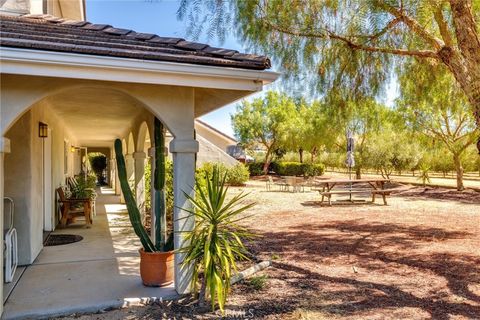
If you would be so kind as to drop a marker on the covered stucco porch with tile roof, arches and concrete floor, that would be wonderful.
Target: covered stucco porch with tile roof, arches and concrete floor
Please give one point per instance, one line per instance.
(88, 95)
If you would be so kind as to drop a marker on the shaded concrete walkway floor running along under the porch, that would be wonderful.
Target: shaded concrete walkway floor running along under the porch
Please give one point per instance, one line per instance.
(101, 271)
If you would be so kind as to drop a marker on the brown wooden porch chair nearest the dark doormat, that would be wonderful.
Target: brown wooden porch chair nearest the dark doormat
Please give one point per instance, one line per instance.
(72, 208)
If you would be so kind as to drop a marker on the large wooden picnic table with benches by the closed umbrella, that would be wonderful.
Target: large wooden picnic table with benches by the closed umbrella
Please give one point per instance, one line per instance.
(324, 187)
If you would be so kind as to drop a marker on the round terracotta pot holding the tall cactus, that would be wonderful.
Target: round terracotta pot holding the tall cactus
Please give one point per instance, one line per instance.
(156, 268)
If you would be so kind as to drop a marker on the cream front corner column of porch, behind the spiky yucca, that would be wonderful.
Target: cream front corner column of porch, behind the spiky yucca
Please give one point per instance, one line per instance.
(183, 181)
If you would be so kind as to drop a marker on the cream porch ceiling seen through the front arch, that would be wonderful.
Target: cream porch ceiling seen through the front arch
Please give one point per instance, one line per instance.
(93, 117)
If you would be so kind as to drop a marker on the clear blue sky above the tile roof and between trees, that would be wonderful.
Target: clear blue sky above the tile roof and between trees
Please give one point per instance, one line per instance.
(159, 17)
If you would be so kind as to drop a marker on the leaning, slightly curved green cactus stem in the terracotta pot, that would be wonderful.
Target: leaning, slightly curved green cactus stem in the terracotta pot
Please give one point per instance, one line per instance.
(133, 212)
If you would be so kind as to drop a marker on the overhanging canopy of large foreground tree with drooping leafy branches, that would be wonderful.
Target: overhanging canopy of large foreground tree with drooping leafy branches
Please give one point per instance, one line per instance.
(351, 45)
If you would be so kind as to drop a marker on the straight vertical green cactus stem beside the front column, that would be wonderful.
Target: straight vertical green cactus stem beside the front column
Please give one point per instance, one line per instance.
(159, 187)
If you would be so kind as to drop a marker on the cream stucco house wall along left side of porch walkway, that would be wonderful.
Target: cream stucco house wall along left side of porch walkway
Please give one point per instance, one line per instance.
(24, 175)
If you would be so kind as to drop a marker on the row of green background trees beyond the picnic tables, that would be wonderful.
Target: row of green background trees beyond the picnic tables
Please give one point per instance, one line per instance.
(426, 132)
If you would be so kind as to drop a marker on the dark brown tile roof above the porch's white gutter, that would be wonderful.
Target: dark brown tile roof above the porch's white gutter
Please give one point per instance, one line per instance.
(46, 32)
